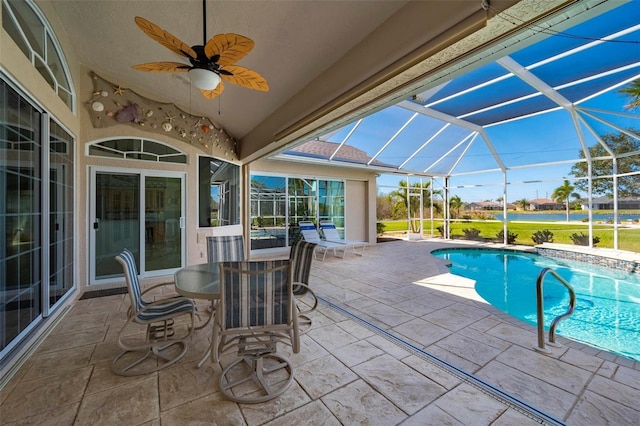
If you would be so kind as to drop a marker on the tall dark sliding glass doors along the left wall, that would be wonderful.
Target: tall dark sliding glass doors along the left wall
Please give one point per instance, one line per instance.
(36, 216)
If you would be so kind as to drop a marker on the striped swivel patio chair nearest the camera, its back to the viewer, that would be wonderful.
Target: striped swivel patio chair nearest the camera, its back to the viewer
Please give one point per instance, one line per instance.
(255, 313)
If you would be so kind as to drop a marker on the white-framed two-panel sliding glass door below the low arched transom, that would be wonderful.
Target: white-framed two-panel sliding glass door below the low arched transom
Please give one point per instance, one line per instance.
(142, 212)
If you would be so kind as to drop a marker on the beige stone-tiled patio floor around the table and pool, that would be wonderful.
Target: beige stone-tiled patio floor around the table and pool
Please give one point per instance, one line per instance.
(367, 360)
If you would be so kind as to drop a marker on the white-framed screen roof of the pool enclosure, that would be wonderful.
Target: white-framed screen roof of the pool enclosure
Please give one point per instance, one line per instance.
(535, 100)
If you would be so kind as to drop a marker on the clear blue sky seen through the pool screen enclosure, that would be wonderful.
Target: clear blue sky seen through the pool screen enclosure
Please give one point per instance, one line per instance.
(581, 77)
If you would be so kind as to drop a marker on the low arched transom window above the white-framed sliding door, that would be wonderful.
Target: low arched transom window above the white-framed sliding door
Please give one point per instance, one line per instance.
(137, 149)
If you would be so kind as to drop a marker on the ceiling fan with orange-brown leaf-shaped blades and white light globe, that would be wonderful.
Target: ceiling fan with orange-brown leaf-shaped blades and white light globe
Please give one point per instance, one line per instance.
(209, 63)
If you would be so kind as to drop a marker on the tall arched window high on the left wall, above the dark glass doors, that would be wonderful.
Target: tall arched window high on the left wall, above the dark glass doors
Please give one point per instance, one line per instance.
(29, 29)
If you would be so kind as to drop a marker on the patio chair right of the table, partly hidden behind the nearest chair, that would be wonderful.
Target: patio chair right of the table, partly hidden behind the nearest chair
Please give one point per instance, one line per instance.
(301, 257)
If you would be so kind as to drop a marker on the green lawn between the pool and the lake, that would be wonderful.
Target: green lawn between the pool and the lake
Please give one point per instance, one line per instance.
(628, 238)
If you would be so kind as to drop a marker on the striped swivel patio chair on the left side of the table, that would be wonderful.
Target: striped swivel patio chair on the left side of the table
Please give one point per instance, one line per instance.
(159, 318)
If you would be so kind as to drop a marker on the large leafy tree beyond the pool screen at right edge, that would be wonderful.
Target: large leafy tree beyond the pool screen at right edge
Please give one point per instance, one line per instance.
(619, 143)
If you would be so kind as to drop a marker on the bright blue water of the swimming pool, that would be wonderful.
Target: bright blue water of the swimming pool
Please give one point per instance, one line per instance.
(607, 313)
